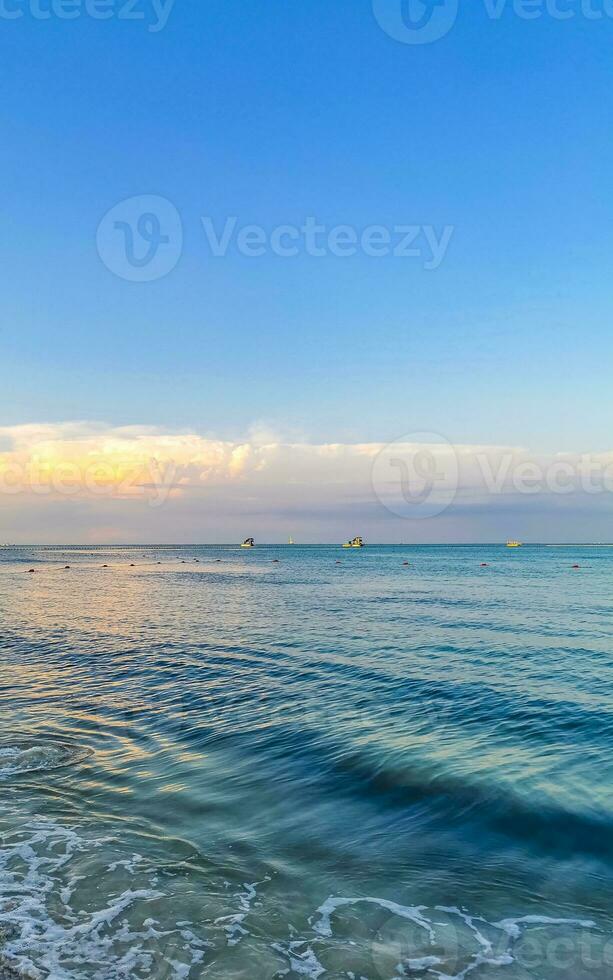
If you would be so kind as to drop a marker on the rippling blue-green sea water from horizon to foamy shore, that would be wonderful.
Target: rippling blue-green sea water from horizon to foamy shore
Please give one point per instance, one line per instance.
(215, 764)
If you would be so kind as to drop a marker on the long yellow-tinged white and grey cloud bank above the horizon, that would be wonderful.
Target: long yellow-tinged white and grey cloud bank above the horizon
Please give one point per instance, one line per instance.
(95, 483)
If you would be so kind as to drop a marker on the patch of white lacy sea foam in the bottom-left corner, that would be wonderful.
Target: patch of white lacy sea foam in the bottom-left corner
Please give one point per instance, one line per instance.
(44, 937)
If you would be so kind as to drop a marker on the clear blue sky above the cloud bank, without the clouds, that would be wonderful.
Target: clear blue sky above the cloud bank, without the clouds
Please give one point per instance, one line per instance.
(279, 110)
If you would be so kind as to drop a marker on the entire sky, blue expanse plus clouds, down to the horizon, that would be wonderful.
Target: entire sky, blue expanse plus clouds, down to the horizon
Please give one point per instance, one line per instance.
(457, 289)
